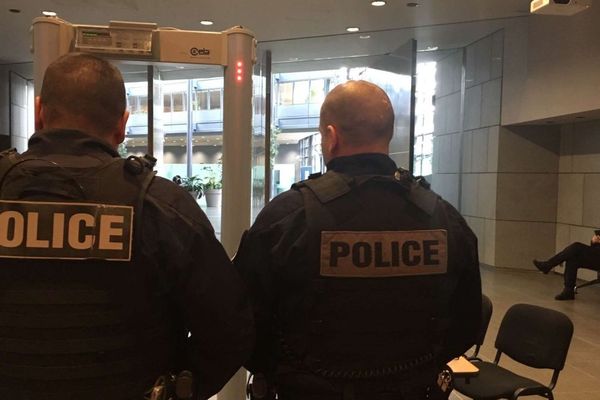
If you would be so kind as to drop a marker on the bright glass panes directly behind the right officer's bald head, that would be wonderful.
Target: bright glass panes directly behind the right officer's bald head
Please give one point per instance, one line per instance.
(297, 99)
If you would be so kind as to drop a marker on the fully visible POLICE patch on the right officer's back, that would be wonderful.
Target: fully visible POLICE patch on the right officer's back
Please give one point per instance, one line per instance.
(375, 254)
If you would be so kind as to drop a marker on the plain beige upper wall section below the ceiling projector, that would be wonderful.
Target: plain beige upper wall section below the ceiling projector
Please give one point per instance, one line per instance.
(551, 66)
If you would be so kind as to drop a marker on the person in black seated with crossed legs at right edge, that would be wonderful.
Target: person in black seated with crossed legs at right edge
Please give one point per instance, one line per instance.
(576, 255)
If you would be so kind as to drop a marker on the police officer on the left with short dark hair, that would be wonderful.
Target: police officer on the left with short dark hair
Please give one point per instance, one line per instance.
(110, 277)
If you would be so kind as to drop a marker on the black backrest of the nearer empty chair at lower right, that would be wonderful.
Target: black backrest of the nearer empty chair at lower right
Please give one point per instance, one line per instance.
(535, 336)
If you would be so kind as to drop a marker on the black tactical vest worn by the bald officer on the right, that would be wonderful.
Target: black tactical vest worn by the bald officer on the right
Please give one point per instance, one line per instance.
(373, 311)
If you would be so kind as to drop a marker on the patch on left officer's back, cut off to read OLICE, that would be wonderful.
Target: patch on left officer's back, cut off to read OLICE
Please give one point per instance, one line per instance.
(65, 230)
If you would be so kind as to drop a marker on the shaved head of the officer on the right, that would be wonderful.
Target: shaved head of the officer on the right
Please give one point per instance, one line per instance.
(356, 117)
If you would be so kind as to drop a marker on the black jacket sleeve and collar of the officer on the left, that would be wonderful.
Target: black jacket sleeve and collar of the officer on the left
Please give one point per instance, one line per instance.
(187, 269)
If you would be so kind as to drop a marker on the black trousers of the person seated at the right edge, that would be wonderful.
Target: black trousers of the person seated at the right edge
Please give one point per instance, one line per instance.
(577, 255)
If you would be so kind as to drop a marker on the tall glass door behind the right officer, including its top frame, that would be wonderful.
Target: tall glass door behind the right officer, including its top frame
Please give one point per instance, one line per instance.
(300, 86)
